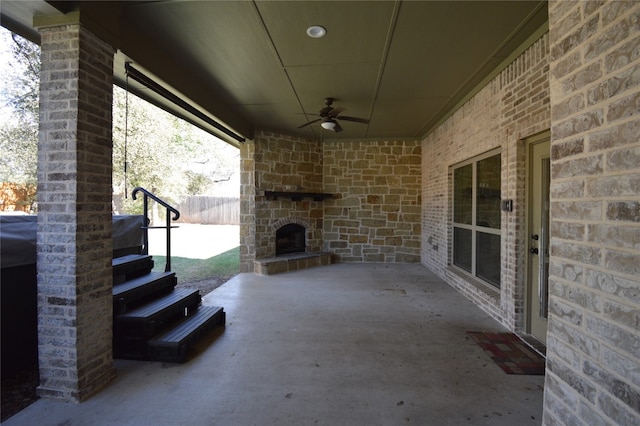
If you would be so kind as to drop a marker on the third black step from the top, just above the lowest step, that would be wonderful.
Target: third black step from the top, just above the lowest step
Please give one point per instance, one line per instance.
(133, 328)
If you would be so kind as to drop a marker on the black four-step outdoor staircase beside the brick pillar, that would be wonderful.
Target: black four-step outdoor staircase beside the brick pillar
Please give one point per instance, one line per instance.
(152, 320)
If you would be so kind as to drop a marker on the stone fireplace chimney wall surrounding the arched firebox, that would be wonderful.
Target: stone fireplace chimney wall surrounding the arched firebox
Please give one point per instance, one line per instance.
(275, 162)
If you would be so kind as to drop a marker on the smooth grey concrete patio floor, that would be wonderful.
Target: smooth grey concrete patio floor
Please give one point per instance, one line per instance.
(346, 344)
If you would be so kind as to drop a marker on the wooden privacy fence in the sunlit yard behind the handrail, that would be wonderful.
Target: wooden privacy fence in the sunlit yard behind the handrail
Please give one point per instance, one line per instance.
(210, 210)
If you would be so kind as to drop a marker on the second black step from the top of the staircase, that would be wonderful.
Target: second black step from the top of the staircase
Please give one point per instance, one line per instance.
(140, 290)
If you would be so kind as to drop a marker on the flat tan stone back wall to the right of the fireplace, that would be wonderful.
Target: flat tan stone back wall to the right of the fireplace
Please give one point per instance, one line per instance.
(375, 213)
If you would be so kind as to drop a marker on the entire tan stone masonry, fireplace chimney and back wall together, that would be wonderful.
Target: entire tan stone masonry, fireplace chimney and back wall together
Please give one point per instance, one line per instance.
(373, 217)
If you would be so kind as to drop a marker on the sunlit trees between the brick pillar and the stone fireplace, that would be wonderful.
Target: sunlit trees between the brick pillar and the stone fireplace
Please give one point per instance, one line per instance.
(164, 154)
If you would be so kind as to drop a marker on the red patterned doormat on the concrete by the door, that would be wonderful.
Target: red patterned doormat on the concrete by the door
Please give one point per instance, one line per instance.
(509, 352)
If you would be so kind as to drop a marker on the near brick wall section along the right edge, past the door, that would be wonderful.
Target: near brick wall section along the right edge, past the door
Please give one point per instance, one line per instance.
(593, 368)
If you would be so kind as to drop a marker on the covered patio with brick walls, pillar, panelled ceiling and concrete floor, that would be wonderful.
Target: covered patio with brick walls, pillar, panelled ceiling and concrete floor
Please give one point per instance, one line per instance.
(546, 106)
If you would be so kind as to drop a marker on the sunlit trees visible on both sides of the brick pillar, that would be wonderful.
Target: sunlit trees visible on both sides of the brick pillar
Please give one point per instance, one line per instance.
(164, 154)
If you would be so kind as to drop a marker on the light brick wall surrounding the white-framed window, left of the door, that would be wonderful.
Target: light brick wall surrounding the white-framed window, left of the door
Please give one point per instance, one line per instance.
(512, 107)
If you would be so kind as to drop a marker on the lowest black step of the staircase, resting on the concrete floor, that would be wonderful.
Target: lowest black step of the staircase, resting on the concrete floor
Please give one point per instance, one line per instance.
(172, 346)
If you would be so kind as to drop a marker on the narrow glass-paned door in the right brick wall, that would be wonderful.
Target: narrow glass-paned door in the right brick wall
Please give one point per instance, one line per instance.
(538, 253)
